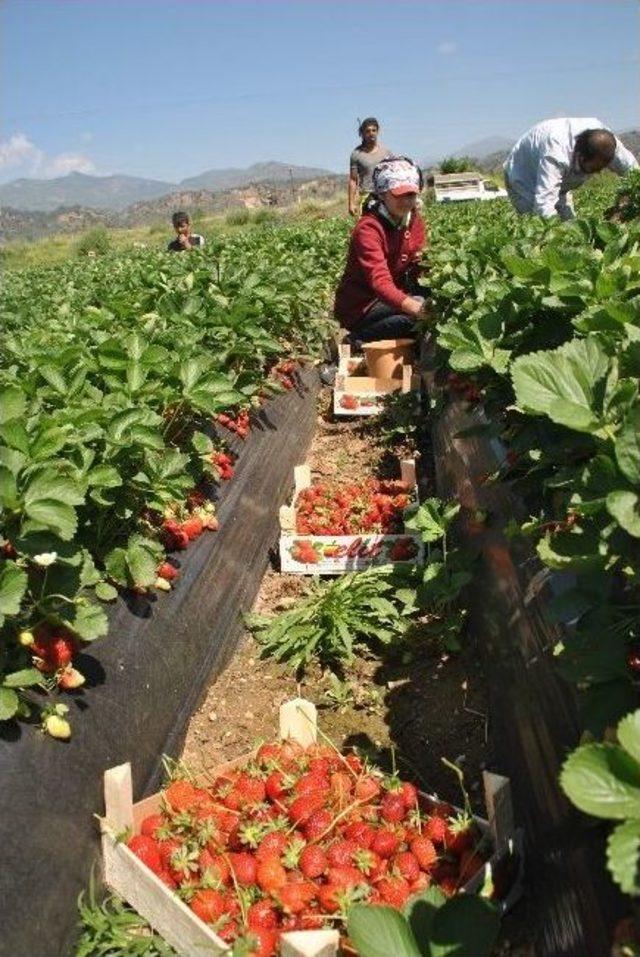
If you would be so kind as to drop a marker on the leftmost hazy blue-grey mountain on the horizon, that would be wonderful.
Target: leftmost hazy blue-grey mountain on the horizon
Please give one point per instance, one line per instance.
(79, 189)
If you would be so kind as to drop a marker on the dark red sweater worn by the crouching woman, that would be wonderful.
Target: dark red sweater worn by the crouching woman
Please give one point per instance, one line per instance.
(380, 259)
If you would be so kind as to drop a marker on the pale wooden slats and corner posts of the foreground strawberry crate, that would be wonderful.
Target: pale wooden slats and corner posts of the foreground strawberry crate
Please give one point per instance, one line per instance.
(177, 924)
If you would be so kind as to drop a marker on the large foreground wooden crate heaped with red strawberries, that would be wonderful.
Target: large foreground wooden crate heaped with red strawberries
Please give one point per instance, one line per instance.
(267, 855)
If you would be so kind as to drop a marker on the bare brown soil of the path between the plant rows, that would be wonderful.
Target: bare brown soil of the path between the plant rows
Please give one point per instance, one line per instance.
(414, 708)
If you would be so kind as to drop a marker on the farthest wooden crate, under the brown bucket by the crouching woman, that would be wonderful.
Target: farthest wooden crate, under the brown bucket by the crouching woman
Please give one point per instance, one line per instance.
(355, 393)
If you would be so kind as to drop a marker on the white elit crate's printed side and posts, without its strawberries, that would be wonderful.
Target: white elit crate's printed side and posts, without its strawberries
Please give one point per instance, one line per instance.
(338, 554)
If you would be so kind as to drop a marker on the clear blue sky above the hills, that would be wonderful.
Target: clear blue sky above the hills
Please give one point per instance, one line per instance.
(169, 88)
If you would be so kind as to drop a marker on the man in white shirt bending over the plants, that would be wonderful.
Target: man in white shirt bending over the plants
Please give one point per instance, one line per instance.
(556, 156)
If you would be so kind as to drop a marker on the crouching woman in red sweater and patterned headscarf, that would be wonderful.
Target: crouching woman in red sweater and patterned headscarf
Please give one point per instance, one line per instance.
(378, 296)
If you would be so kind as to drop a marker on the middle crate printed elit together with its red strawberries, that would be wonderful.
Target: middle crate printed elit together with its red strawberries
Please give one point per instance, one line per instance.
(335, 527)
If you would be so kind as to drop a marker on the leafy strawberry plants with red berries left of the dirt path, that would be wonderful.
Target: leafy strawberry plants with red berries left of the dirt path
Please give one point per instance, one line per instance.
(116, 376)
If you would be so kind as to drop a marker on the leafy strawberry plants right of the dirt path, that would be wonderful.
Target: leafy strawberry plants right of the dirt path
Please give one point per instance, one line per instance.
(539, 322)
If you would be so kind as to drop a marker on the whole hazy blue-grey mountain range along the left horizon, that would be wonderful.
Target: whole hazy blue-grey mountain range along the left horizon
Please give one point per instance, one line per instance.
(117, 192)
